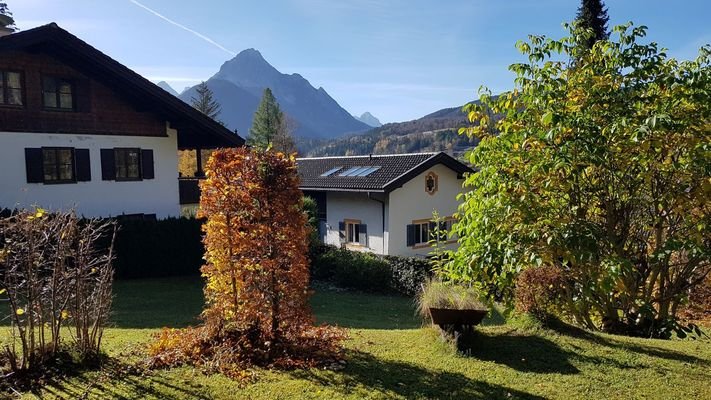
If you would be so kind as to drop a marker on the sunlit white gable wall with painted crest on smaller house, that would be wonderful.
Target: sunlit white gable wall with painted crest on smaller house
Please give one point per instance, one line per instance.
(411, 202)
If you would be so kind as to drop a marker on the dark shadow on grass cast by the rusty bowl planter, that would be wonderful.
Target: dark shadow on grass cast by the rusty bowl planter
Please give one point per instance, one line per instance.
(525, 353)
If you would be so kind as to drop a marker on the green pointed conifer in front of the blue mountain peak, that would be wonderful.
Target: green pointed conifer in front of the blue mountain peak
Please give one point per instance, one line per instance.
(270, 127)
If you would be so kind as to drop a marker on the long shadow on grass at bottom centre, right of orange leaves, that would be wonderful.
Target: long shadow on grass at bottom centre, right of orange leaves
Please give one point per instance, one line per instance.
(390, 378)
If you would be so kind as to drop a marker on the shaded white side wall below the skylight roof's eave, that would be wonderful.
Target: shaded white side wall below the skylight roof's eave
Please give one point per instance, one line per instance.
(357, 206)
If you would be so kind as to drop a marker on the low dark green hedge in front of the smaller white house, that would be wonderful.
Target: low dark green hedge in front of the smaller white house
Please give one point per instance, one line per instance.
(369, 272)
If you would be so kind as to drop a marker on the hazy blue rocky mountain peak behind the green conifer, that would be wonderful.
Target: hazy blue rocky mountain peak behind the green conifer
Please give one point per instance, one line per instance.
(240, 82)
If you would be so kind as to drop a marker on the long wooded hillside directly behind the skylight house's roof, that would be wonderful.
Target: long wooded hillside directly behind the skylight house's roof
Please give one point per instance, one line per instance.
(437, 131)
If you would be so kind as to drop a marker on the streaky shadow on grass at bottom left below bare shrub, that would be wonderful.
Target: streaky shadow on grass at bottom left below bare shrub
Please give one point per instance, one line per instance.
(102, 383)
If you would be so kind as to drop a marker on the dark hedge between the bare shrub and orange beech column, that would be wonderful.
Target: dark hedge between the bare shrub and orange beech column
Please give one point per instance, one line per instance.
(158, 248)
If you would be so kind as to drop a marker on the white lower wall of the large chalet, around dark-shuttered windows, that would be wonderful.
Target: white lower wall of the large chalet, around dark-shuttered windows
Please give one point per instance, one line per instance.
(97, 197)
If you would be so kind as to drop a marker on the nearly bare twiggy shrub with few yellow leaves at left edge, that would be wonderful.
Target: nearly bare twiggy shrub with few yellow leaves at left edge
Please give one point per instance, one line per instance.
(53, 276)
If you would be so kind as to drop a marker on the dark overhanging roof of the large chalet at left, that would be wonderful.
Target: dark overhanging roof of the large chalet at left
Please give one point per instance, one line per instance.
(194, 128)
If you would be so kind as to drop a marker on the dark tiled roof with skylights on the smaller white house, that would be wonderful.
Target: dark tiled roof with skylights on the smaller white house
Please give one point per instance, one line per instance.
(395, 170)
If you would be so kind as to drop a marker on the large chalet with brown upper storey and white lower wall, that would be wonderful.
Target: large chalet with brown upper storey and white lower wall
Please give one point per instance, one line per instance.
(78, 129)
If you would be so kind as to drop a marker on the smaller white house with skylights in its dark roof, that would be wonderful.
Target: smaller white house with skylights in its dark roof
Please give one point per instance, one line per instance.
(383, 203)
